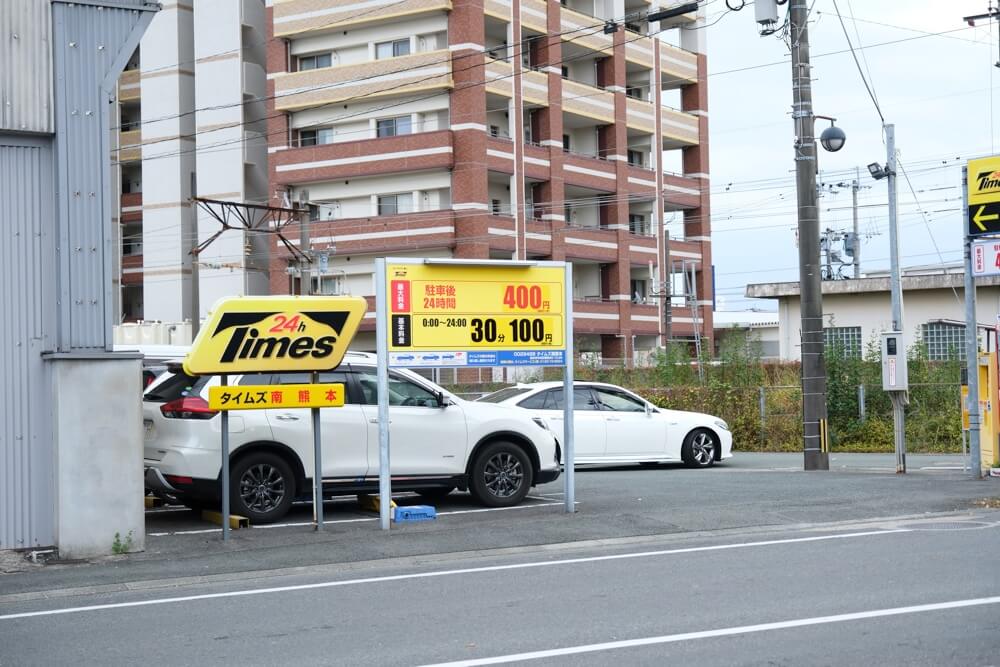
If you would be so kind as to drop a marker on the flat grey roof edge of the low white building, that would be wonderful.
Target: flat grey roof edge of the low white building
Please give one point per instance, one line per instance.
(913, 278)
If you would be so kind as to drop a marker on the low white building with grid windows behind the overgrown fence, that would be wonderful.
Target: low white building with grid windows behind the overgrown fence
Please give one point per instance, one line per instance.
(857, 311)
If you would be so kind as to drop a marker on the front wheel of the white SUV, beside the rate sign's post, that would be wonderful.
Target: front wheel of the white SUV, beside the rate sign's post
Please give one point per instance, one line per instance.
(501, 475)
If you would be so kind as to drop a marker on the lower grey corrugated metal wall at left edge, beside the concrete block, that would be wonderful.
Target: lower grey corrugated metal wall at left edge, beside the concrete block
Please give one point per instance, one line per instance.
(26, 322)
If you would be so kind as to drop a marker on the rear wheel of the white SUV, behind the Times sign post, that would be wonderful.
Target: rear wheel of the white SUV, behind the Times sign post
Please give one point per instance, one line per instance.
(262, 487)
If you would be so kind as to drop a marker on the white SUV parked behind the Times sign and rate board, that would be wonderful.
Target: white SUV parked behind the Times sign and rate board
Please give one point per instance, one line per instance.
(439, 442)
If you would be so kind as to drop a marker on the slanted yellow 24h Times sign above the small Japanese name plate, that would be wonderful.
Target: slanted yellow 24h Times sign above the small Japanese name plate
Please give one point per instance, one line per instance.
(276, 333)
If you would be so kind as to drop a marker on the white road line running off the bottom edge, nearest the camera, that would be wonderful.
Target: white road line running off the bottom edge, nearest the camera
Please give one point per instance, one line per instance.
(721, 632)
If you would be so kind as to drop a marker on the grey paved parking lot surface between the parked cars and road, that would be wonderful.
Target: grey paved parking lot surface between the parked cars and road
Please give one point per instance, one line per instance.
(750, 492)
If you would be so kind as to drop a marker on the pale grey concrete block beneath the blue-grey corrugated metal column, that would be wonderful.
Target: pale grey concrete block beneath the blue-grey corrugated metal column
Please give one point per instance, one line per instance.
(105, 456)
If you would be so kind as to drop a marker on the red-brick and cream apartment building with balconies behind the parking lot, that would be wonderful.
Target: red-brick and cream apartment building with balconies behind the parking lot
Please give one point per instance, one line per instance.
(499, 129)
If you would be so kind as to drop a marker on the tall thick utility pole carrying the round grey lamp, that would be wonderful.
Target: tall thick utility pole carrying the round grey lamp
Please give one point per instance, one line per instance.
(814, 414)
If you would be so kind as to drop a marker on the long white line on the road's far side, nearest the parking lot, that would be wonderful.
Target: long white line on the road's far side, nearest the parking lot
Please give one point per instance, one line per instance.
(448, 573)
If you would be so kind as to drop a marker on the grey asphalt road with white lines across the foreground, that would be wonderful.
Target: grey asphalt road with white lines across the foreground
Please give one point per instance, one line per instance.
(907, 591)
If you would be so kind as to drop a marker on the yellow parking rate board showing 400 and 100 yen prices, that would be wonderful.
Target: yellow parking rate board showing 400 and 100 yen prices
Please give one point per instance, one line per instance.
(476, 315)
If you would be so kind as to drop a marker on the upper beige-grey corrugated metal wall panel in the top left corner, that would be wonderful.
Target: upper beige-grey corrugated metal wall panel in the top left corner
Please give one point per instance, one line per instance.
(26, 70)
